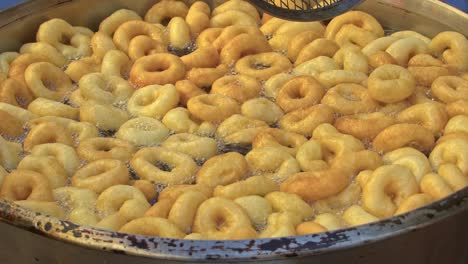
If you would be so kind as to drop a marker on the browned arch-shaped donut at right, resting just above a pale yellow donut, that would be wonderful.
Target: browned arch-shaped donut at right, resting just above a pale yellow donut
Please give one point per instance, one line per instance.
(401, 135)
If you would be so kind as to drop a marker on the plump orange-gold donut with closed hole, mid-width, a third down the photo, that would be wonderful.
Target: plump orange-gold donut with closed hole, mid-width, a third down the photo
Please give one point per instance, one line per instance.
(239, 87)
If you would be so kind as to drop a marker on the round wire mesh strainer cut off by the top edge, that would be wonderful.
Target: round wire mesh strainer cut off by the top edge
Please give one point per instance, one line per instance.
(305, 10)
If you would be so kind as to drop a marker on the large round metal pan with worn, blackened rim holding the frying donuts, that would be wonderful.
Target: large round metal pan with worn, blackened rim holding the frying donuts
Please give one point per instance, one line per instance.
(437, 233)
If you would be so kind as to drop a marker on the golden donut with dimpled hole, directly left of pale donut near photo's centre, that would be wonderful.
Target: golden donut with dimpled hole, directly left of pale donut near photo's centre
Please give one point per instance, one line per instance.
(212, 107)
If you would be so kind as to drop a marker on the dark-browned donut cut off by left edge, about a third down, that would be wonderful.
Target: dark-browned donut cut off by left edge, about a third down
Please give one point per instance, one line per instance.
(15, 93)
